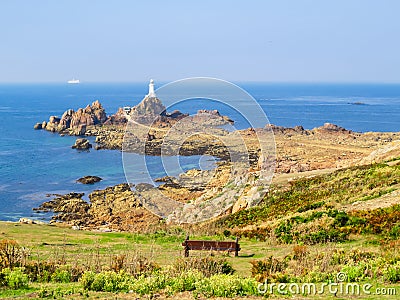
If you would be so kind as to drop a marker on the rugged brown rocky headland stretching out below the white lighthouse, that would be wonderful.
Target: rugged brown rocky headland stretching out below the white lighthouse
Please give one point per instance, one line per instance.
(298, 151)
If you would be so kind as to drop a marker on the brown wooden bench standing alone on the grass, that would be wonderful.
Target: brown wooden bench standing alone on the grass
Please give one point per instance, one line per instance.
(210, 245)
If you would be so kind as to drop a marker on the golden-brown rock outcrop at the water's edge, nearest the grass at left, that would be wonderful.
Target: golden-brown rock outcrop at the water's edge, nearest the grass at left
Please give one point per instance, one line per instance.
(112, 209)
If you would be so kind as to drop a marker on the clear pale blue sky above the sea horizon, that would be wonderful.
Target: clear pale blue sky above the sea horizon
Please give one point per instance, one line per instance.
(279, 40)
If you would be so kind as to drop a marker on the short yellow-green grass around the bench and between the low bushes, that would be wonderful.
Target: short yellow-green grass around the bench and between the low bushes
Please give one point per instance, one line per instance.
(95, 249)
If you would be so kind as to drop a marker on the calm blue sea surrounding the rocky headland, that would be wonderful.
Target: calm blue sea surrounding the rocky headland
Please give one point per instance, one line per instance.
(36, 163)
